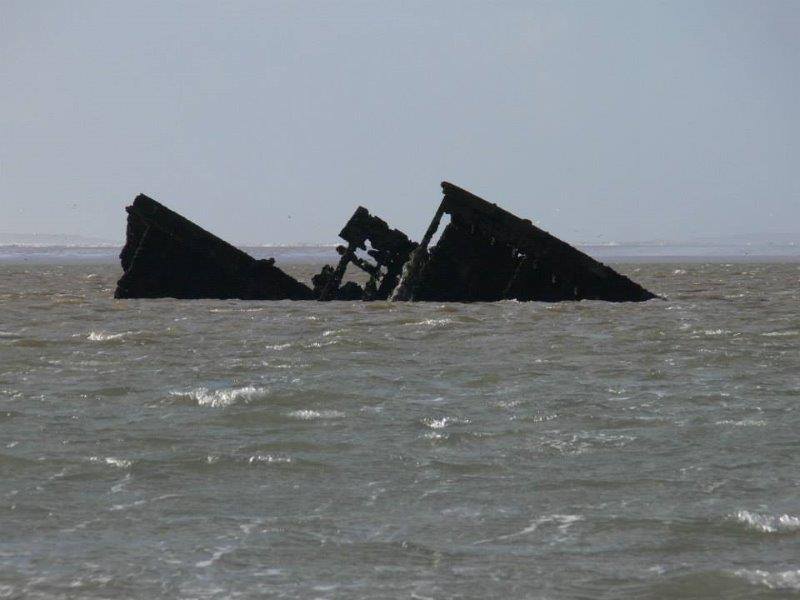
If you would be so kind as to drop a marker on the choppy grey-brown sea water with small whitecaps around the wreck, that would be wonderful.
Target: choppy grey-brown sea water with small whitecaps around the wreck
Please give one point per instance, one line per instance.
(208, 449)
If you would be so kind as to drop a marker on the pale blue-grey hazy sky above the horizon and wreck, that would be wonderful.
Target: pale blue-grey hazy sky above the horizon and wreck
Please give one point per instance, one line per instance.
(268, 122)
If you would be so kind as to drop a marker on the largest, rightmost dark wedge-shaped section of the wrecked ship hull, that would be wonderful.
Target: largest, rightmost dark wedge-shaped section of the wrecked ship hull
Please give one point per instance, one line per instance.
(486, 254)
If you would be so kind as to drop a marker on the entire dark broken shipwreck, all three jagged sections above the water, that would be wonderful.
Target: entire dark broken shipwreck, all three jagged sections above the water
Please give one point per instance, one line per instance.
(483, 254)
